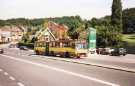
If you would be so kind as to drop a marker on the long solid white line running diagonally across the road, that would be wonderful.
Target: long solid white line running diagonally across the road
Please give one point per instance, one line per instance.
(62, 70)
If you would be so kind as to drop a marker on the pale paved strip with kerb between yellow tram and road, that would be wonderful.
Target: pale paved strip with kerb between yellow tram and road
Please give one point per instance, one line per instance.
(121, 63)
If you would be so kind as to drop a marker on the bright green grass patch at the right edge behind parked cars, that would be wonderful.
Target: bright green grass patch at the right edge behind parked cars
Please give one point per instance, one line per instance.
(130, 39)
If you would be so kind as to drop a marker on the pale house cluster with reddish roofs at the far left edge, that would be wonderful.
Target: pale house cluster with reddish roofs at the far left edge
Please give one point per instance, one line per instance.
(11, 34)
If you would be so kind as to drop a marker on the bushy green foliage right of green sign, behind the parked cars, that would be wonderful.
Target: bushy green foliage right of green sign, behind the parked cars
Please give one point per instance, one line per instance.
(108, 36)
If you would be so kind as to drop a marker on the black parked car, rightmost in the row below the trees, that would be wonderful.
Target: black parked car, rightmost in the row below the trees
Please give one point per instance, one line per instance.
(118, 52)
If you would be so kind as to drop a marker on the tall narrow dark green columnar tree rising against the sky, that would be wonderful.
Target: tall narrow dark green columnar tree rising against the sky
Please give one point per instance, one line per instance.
(116, 17)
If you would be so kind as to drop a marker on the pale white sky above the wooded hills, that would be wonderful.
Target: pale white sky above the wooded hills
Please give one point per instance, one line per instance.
(87, 9)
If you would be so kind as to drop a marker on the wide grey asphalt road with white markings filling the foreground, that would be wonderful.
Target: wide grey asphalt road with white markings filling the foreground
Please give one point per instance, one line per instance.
(19, 68)
